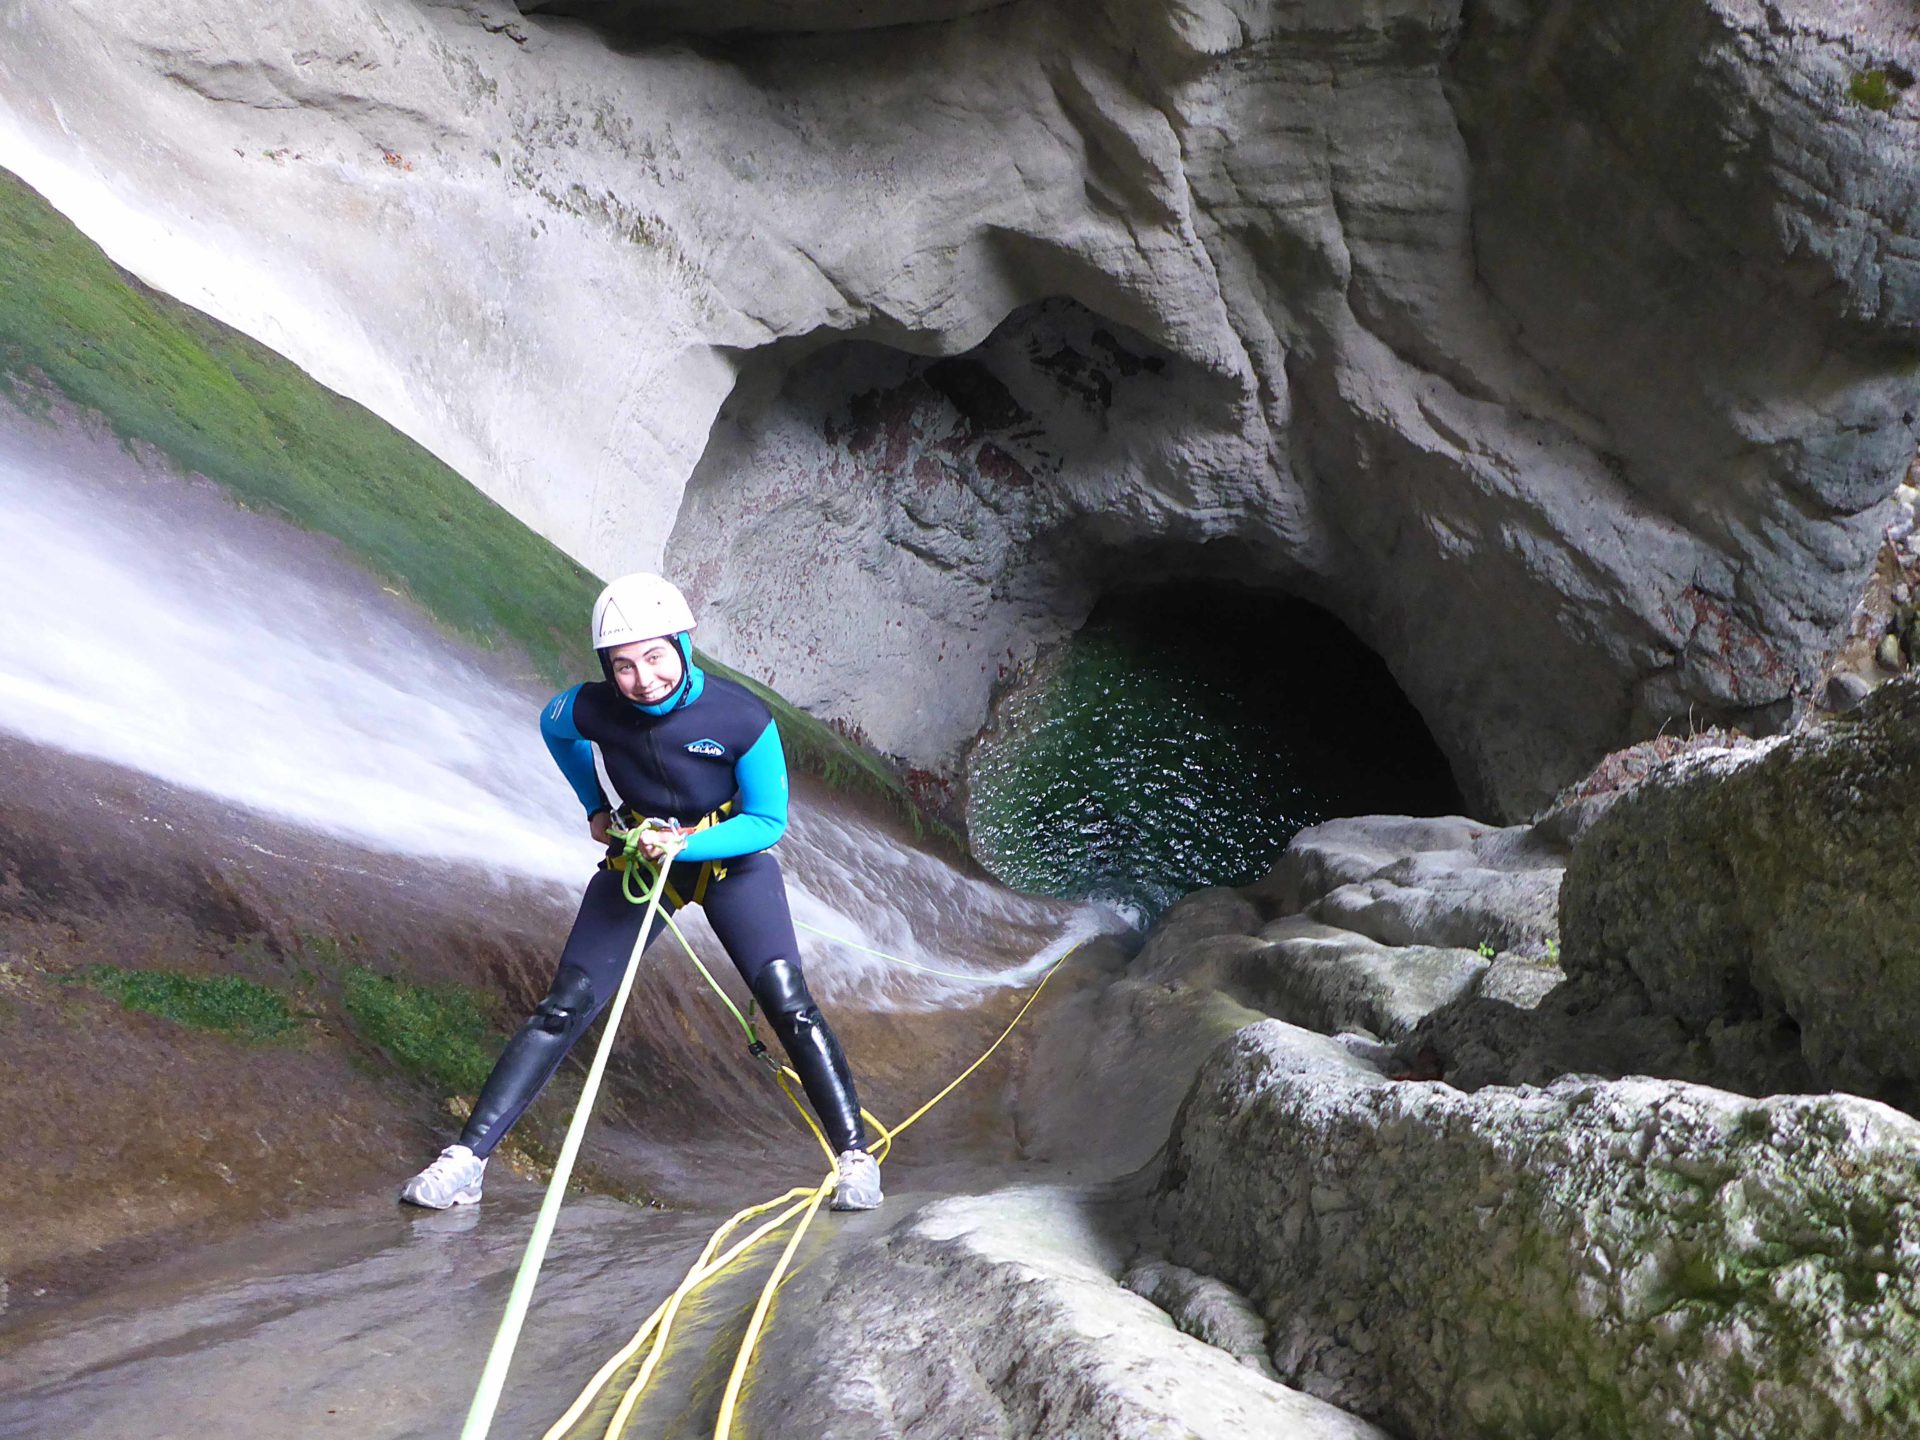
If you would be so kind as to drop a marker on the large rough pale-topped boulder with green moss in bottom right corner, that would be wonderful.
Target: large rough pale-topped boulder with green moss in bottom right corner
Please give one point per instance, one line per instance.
(1596, 1259)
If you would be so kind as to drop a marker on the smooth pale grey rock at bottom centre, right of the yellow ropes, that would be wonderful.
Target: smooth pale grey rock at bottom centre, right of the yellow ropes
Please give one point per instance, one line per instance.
(898, 1345)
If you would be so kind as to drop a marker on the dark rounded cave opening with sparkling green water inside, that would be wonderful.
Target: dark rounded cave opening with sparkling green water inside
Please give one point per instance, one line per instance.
(1184, 736)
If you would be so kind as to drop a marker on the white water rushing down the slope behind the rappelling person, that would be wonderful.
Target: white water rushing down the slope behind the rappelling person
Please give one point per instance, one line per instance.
(153, 625)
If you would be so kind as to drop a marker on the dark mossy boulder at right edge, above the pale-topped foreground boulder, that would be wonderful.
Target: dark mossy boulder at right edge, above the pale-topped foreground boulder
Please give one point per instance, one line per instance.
(1771, 886)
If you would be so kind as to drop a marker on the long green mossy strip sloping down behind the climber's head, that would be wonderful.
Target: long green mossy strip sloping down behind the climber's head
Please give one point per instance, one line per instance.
(218, 404)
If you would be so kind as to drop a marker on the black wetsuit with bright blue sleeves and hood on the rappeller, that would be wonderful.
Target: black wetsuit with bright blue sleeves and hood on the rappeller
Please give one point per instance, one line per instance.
(708, 756)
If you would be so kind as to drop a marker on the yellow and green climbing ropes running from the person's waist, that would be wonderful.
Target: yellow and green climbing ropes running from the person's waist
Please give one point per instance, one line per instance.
(802, 1203)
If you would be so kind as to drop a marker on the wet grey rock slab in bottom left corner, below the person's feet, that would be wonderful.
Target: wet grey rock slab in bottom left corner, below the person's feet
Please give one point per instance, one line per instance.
(368, 1324)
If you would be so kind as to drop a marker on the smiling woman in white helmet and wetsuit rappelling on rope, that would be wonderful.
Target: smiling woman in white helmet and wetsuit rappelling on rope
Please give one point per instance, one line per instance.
(675, 742)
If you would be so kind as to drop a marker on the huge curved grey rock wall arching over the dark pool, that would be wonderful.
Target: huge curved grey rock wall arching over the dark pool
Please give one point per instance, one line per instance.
(1585, 333)
